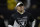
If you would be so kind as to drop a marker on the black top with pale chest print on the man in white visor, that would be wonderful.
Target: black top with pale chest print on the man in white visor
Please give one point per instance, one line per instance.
(26, 18)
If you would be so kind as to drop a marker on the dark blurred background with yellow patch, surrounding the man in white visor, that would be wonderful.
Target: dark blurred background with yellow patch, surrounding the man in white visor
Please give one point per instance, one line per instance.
(7, 9)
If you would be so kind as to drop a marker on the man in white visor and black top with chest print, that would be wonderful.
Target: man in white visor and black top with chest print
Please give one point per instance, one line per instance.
(21, 18)
